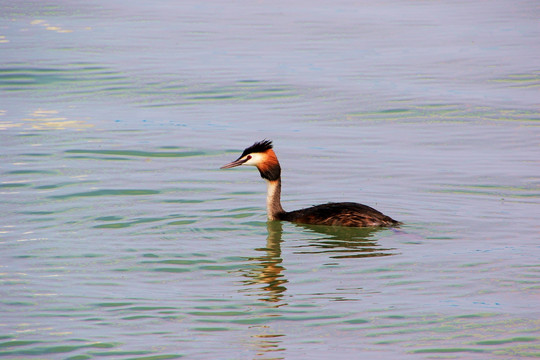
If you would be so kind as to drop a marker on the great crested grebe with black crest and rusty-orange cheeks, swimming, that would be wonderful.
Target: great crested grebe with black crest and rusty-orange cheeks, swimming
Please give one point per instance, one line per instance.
(263, 157)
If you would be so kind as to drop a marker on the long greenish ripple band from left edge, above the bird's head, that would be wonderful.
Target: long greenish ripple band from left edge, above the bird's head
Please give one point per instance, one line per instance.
(80, 80)
